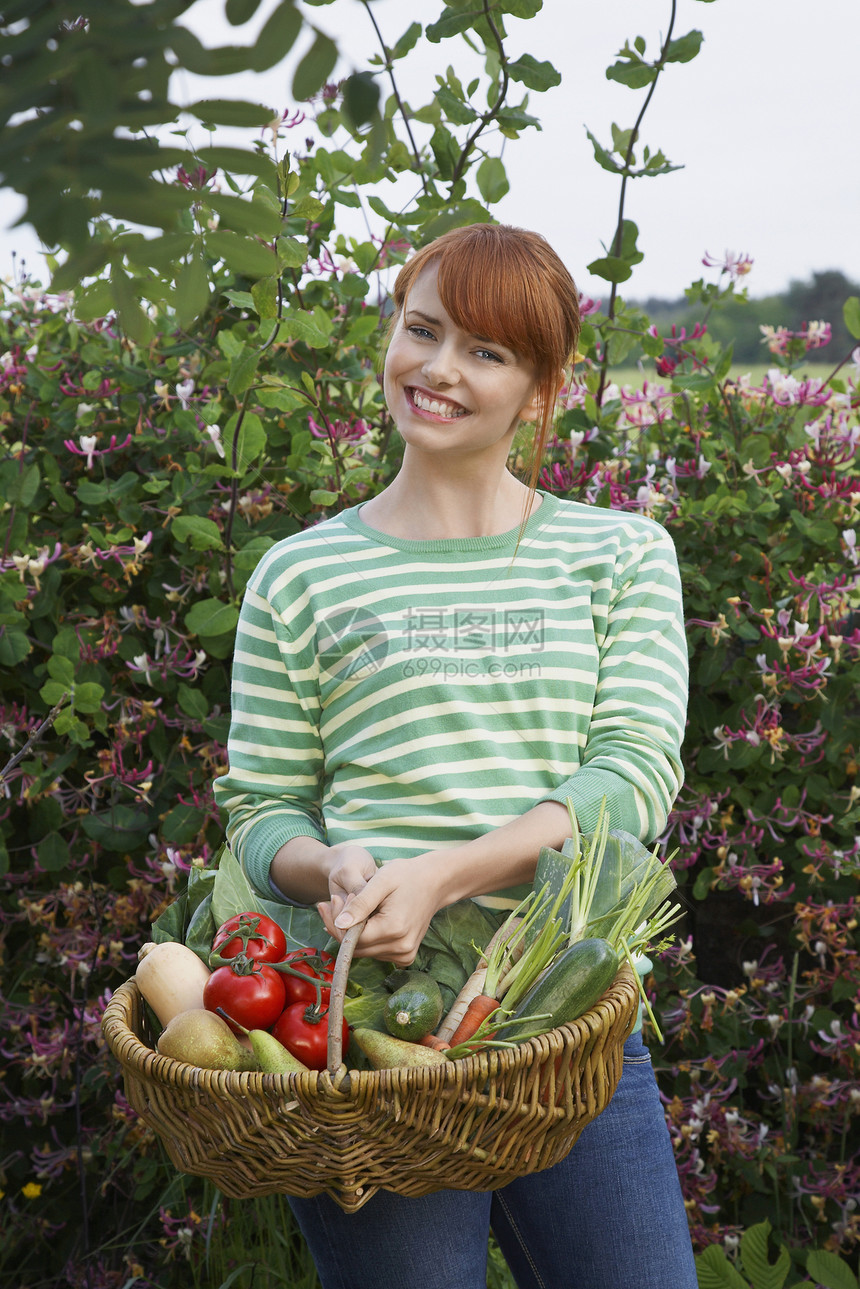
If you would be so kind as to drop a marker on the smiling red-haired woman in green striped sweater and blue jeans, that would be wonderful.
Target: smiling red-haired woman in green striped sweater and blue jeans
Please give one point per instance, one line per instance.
(421, 685)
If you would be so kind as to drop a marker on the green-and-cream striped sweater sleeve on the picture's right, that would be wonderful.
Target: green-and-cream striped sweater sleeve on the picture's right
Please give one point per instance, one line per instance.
(632, 756)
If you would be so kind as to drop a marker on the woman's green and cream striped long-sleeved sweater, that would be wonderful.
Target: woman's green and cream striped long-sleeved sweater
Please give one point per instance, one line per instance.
(413, 695)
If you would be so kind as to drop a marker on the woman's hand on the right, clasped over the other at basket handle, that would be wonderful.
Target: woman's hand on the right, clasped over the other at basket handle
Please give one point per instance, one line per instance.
(398, 902)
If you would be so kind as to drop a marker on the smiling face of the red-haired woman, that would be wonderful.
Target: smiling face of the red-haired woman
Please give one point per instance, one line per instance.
(449, 391)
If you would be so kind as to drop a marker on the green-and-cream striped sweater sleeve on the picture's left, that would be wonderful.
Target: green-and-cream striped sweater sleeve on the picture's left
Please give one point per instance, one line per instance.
(273, 788)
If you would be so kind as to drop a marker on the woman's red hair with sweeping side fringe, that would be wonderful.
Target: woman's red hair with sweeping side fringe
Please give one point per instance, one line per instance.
(509, 286)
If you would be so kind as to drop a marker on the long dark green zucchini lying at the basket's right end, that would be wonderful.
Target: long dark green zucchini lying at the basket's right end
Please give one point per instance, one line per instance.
(567, 989)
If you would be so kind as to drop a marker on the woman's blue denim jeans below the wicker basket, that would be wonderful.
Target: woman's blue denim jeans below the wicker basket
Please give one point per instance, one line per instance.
(611, 1216)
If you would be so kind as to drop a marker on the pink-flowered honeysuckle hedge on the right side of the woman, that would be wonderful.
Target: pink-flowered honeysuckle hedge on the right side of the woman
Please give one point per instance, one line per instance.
(760, 998)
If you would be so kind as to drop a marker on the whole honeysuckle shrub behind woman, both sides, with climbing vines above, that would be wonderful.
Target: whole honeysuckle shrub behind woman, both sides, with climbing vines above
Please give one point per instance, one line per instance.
(154, 447)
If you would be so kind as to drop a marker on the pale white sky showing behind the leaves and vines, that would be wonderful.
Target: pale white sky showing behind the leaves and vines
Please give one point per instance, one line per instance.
(764, 123)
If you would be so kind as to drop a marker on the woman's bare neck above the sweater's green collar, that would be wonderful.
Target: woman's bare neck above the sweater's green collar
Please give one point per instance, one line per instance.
(433, 505)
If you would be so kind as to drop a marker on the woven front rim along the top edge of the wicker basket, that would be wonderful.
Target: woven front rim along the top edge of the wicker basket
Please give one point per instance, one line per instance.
(146, 1063)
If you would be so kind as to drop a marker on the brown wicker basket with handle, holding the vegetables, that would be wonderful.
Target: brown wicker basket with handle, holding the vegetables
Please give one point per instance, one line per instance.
(471, 1125)
